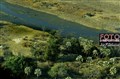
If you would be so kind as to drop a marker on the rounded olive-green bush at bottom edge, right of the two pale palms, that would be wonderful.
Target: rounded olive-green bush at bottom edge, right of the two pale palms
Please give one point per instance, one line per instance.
(58, 70)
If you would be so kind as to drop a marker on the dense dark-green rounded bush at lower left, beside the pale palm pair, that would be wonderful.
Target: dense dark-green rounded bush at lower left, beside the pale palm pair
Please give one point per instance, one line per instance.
(15, 64)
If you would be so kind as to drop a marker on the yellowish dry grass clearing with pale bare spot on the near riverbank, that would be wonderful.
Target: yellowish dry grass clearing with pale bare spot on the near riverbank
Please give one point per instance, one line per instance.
(13, 35)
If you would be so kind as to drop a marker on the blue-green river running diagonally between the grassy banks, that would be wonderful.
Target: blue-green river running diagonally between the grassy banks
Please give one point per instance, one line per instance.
(37, 19)
